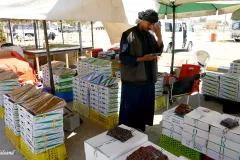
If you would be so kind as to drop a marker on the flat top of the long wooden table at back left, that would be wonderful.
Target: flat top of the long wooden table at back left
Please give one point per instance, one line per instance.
(53, 51)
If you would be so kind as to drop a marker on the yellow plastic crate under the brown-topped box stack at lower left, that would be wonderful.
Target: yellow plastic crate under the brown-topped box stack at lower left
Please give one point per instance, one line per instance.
(57, 153)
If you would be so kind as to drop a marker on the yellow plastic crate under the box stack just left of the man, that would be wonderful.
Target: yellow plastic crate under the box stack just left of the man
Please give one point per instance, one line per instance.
(107, 122)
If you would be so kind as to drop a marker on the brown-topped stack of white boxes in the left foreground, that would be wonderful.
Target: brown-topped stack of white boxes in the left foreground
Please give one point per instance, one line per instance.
(36, 116)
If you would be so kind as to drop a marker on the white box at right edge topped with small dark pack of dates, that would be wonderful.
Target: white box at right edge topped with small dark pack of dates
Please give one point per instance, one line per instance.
(220, 131)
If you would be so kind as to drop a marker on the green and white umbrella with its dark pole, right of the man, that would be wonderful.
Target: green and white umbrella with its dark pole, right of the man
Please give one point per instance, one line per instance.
(193, 8)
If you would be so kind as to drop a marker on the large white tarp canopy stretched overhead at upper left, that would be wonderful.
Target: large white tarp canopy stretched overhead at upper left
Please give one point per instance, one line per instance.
(118, 11)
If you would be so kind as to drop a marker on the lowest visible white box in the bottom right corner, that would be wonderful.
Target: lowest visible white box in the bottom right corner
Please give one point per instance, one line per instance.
(224, 151)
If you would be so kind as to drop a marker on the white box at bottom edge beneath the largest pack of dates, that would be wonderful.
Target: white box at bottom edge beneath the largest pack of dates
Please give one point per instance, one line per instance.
(170, 156)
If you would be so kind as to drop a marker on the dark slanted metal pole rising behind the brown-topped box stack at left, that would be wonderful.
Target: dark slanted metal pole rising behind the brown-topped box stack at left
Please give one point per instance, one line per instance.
(48, 56)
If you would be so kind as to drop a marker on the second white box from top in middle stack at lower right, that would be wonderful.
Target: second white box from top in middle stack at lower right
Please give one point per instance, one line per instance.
(193, 130)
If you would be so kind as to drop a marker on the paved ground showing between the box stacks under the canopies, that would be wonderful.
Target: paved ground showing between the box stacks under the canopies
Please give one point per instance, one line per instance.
(75, 140)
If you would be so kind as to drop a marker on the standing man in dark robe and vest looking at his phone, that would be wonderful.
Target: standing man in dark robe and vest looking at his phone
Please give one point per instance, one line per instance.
(139, 71)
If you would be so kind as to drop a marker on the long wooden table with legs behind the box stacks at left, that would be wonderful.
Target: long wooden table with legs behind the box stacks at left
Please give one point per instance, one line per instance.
(53, 52)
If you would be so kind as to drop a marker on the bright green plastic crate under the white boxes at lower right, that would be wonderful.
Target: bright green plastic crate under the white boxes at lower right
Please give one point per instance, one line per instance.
(176, 148)
